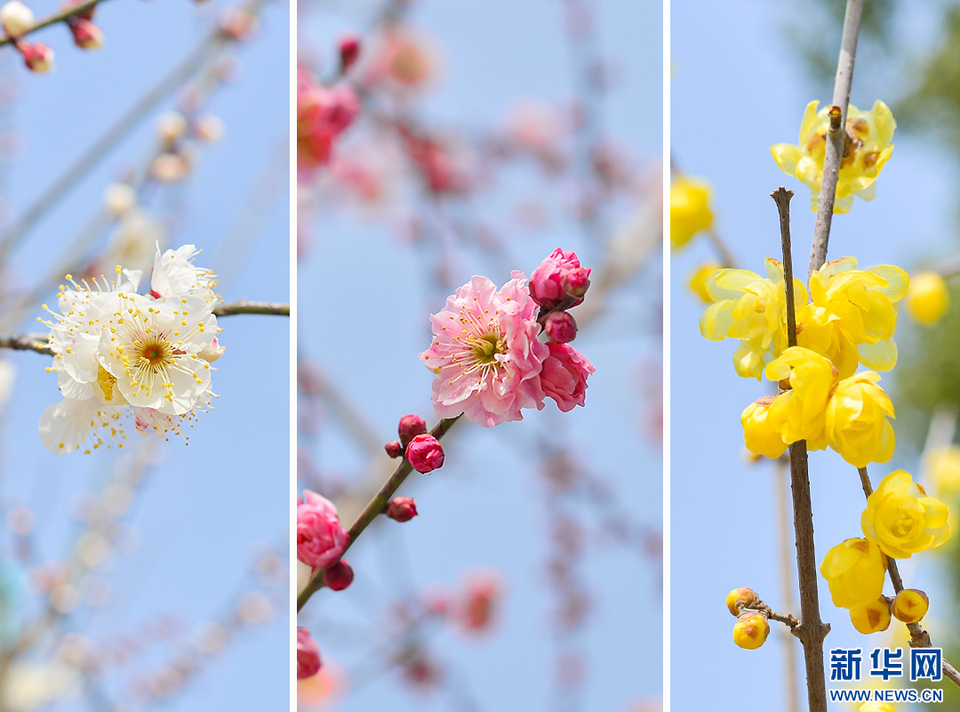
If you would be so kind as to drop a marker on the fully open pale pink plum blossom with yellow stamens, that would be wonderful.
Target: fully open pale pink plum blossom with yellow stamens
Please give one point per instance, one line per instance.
(485, 352)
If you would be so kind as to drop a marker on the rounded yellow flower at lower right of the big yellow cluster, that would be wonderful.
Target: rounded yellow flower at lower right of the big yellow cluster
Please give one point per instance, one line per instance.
(856, 424)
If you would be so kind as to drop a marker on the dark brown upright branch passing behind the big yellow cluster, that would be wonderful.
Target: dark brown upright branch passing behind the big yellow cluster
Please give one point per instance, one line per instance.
(811, 630)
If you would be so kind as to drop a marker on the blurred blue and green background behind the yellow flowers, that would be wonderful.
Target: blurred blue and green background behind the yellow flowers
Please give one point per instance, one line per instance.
(731, 101)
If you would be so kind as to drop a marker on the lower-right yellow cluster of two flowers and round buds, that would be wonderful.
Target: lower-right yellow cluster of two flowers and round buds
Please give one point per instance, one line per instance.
(899, 520)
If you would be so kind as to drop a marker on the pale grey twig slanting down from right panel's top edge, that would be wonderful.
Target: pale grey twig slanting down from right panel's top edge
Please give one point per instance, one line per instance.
(835, 137)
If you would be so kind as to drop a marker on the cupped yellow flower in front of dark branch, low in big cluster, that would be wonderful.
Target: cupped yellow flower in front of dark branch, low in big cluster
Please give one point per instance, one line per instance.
(799, 414)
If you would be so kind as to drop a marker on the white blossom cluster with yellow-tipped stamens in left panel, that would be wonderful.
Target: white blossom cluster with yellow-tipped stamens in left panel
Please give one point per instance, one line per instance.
(116, 351)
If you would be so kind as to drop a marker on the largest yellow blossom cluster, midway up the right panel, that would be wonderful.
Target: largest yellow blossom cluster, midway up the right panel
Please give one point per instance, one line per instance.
(849, 318)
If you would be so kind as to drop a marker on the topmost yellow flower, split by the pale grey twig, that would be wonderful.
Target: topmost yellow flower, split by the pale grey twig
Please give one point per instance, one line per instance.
(866, 147)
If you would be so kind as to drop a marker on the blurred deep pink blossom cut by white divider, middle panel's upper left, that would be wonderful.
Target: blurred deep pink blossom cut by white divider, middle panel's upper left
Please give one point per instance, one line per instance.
(322, 115)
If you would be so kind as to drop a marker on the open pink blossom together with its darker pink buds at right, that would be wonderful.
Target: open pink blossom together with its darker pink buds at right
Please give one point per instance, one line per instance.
(487, 354)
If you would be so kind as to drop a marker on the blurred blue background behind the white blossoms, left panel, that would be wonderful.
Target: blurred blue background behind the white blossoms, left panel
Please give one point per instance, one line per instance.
(155, 579)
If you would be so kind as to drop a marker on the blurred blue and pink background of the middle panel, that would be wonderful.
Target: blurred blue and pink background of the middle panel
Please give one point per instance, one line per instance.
(487, 136)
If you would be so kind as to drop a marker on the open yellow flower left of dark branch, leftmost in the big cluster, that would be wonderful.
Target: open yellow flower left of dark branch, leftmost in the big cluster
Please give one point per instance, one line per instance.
(753, 309)
